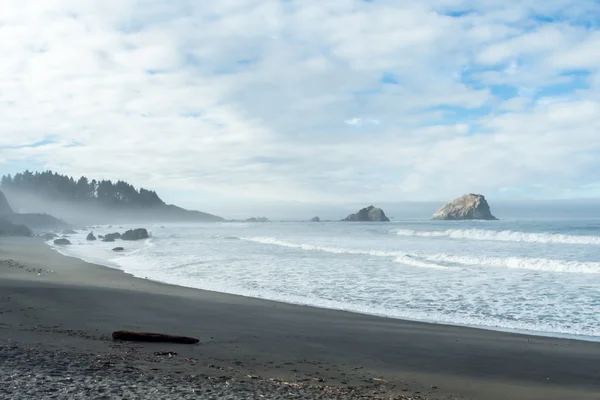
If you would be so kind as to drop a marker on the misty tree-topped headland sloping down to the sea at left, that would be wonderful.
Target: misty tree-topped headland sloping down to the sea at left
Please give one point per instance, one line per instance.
(85, 200)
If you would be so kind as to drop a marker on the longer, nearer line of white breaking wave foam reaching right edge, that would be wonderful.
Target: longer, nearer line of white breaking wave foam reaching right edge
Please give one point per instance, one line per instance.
(441, 261)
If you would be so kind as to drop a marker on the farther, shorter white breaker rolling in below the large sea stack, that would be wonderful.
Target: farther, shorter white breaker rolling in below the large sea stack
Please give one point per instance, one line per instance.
(503, 236)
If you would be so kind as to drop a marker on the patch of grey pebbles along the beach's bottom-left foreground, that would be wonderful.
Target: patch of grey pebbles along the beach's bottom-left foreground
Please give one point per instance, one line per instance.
(27, 373)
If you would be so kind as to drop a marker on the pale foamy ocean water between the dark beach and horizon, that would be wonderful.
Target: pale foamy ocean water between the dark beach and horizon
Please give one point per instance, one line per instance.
(540, 276)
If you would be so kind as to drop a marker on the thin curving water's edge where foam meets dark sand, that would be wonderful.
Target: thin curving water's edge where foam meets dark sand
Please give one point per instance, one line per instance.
(525, 332)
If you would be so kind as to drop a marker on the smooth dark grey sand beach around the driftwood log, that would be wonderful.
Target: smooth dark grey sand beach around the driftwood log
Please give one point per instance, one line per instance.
(251, 342)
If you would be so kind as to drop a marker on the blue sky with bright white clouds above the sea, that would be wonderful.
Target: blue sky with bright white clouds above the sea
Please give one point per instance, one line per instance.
(241, 104)
